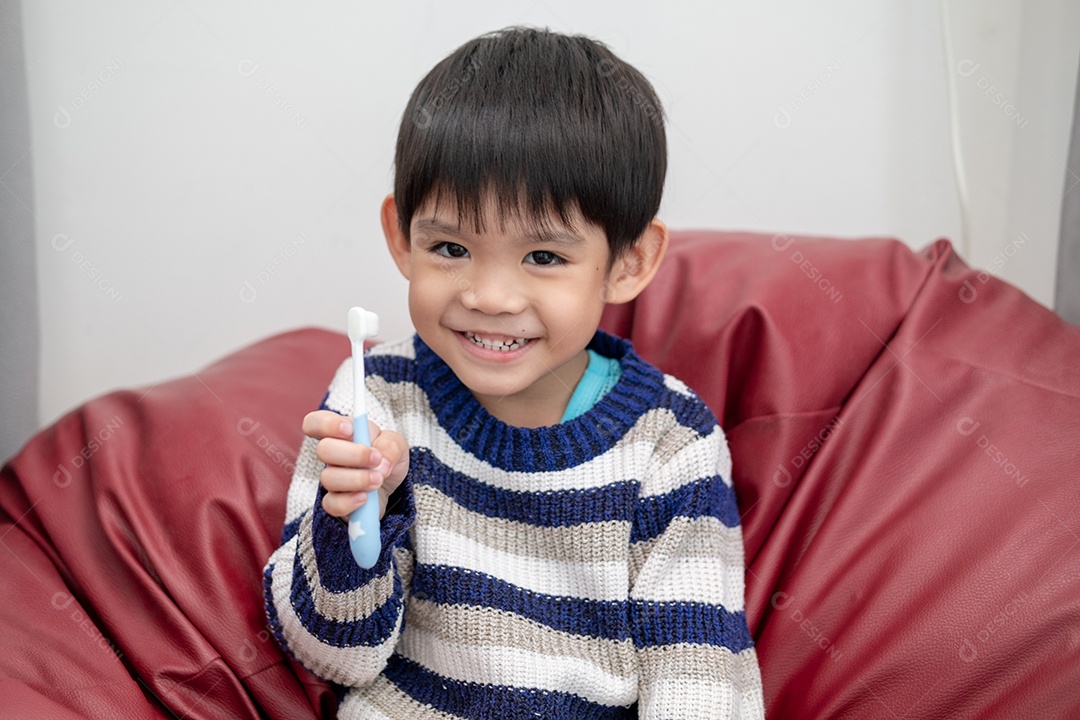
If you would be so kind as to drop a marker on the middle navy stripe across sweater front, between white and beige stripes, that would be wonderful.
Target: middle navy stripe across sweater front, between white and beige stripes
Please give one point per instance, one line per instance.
(596, 619)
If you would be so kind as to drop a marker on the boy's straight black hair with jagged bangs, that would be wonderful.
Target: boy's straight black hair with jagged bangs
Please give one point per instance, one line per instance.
(536, 121)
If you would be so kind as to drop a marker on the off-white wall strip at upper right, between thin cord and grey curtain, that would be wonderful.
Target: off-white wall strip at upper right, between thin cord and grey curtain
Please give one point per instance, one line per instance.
(1014, 65)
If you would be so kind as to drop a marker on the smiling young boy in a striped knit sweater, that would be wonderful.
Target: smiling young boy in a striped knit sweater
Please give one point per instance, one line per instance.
(560, 535)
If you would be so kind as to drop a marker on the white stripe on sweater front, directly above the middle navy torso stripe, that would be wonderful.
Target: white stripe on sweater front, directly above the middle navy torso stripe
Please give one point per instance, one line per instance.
(593, 581)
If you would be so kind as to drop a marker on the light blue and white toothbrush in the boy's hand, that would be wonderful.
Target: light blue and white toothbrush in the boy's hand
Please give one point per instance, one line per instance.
(363, 522)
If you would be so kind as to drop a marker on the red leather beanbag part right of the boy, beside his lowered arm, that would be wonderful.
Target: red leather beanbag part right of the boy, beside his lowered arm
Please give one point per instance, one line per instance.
(907, 444)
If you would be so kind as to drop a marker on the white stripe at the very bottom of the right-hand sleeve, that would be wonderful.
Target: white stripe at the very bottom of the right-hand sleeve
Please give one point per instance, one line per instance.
(695, 700)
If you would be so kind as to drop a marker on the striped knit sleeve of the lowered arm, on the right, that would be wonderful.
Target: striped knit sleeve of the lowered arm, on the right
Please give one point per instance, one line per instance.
(696, 657)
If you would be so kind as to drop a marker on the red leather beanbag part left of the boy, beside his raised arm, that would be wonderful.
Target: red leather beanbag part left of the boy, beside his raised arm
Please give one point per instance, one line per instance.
(137, 529)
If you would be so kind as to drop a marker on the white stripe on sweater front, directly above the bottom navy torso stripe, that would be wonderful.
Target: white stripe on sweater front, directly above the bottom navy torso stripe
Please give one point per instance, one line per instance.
(518, 669)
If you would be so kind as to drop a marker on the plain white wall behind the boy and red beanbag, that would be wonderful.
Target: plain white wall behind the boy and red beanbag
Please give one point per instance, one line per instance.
(208, 174)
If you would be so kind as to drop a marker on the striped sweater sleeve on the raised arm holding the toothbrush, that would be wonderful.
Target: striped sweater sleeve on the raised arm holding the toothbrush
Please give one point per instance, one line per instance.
(335, 618)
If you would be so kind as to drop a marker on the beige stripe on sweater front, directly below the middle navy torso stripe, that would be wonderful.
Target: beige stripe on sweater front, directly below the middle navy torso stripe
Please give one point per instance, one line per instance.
(487, 628)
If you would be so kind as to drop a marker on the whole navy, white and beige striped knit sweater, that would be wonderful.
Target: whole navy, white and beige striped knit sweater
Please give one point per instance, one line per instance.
(590, 569)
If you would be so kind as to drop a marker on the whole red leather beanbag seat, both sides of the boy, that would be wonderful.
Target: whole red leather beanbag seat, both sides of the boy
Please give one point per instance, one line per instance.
(906, 436)
